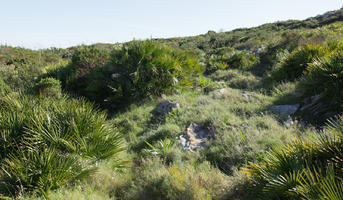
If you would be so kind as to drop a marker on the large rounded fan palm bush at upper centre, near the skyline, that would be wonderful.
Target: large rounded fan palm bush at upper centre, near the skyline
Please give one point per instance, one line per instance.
(146, 68)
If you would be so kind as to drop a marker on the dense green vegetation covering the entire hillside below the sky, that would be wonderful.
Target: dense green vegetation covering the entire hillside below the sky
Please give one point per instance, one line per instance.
(83, 122)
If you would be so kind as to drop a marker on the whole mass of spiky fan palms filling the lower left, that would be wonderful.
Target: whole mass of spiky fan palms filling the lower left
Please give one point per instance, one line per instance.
(46, 144)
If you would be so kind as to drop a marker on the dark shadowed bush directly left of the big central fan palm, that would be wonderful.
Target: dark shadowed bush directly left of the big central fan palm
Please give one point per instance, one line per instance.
(86, 74)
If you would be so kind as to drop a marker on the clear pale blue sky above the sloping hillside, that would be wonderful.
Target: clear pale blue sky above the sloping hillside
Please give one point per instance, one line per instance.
(62, 23)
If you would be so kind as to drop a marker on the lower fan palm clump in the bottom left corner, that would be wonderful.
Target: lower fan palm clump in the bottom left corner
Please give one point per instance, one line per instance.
(42, 169)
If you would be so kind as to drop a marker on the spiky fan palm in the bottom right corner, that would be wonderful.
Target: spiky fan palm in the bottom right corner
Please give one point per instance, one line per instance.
(312, 170)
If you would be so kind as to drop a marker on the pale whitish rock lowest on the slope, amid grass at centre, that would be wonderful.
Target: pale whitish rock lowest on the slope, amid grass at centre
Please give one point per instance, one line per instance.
(195, 137)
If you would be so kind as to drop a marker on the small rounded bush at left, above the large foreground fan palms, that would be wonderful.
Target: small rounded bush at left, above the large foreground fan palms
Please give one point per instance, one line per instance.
(49, 87)
